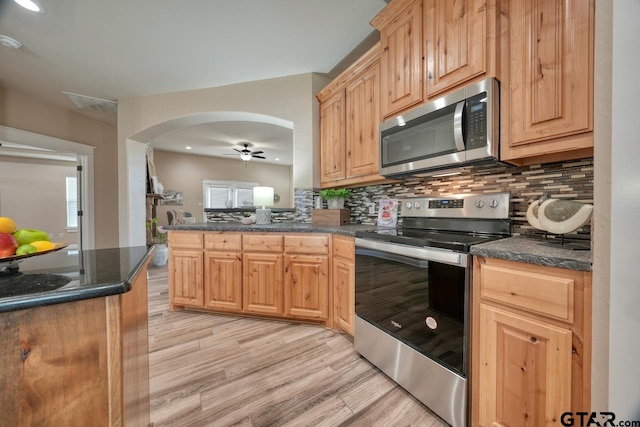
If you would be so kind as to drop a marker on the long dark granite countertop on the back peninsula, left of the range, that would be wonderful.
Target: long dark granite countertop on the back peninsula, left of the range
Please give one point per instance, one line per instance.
(284, 227)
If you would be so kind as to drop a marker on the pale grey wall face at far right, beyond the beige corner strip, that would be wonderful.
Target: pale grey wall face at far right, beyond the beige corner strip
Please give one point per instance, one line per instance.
(624, 327)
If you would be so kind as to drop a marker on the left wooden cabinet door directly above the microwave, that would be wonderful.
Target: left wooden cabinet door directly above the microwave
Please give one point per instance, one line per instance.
(401, 55)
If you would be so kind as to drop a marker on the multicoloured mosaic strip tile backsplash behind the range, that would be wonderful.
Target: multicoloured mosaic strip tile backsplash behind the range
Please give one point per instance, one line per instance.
(565, 180)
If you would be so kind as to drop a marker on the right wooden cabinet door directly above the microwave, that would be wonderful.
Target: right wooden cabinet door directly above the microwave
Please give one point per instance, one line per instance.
(456, 40)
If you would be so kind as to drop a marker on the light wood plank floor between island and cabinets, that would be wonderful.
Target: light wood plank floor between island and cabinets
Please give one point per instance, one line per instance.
(215, 370)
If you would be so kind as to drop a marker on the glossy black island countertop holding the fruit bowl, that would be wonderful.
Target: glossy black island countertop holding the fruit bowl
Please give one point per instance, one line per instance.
(65, 276)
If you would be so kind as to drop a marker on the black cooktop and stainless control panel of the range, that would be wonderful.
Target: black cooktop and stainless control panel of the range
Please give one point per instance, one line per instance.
(454, 223)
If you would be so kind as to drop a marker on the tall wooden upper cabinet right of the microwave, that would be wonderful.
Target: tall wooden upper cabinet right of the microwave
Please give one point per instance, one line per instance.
(547, 81)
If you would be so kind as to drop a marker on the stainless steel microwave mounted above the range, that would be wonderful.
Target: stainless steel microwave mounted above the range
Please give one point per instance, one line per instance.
(458, 129)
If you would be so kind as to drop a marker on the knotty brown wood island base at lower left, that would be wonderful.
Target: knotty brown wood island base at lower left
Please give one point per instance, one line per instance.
(79, 363)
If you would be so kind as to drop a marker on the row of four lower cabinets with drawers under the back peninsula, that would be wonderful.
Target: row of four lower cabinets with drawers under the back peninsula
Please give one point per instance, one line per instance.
(270, 274)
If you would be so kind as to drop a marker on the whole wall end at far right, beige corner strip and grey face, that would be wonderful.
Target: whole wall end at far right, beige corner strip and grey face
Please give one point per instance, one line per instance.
(616, 287)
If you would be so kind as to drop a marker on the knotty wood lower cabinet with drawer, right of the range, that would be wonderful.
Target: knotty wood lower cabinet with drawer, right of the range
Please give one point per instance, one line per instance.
(530, 343)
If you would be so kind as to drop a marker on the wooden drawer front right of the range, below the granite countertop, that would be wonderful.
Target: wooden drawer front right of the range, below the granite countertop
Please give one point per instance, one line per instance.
(540, 293)
